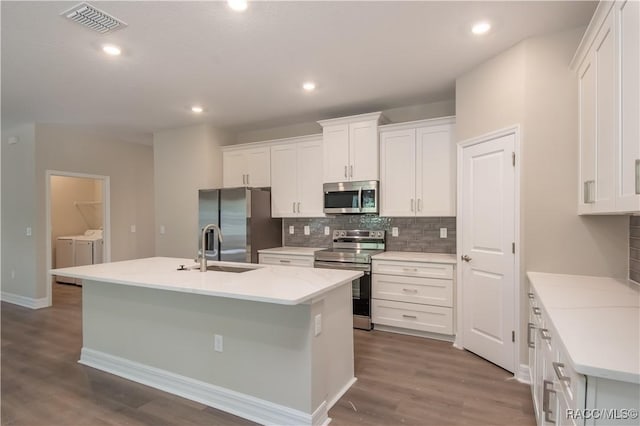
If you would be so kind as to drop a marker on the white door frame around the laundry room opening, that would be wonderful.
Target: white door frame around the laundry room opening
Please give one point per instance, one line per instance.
(106, 224)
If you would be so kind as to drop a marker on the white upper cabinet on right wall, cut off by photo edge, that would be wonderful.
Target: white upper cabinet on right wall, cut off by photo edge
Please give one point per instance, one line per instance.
(608, 66)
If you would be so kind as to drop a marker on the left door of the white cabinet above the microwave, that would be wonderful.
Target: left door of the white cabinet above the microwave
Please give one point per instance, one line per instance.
(335, 159)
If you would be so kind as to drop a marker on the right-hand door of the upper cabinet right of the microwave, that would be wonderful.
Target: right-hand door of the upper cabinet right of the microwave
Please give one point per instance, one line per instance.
(435, 172)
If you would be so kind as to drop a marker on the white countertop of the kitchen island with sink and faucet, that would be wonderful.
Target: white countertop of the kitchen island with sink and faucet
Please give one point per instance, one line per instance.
(286, 285)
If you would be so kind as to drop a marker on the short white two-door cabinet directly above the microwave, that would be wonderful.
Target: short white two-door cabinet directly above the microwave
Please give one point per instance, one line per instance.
(350, 148)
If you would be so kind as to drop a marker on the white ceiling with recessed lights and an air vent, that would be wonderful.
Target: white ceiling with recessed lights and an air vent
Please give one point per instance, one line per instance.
(246, 69)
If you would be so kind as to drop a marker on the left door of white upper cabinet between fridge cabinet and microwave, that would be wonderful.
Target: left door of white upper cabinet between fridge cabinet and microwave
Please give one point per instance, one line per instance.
(284, 190)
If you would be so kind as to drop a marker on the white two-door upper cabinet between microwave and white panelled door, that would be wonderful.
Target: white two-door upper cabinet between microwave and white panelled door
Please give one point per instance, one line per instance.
(417, 169)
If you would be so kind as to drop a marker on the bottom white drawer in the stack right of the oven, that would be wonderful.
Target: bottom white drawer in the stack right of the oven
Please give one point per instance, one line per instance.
(435, 319)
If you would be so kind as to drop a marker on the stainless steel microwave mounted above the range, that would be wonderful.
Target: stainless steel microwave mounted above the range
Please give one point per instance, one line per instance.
(351, 197)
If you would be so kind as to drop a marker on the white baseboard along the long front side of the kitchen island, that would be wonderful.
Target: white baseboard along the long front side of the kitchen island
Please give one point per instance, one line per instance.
(239, 404)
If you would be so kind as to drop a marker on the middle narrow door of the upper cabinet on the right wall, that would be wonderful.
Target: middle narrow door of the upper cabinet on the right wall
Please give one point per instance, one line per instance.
(606, 112)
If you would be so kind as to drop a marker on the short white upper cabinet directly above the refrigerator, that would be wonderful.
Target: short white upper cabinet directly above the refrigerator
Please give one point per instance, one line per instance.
(246, 167)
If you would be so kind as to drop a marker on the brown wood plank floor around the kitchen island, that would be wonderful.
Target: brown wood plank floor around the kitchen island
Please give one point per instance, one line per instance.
(401, 380)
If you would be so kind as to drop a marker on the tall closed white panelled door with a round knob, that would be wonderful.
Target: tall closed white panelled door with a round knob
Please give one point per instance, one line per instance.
(488, 232)
